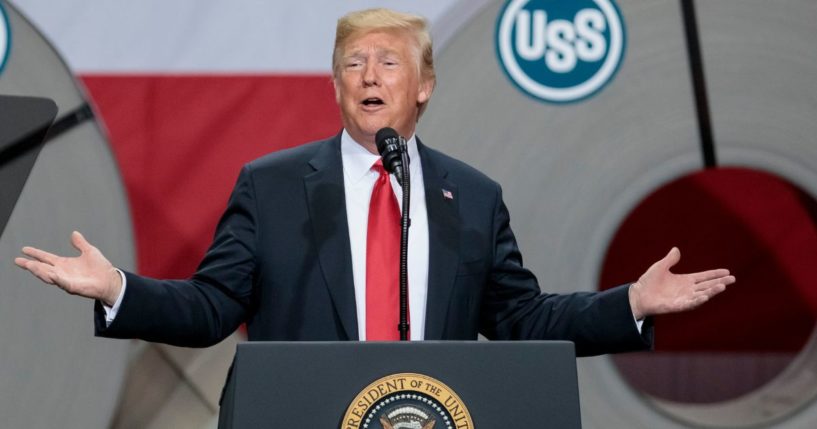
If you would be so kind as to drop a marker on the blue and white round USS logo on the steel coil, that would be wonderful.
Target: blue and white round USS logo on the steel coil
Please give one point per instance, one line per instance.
(560, 51)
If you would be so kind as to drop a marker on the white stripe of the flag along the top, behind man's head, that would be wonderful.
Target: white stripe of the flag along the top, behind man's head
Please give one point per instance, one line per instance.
(194, 36)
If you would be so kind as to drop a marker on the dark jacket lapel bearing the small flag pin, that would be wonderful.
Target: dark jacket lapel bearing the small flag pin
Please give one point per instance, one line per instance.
(443, 231)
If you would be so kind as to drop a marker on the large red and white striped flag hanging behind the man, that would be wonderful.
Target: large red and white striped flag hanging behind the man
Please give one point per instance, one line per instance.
(189, 91)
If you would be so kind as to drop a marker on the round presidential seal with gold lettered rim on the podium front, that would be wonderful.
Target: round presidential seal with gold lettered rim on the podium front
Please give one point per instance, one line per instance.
(407, 401)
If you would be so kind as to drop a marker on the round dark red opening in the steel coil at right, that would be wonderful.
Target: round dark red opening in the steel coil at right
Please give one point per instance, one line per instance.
(747, 342)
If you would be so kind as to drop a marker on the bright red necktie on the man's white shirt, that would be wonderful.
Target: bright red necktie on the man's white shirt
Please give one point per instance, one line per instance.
(383, 261)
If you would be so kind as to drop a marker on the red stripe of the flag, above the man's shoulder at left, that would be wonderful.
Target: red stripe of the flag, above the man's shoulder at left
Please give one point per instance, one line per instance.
(181, 140)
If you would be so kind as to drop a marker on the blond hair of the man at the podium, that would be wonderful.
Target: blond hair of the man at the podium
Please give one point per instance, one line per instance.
(369, 20)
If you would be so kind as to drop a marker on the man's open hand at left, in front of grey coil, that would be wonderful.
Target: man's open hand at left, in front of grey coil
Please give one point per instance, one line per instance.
(90, 274)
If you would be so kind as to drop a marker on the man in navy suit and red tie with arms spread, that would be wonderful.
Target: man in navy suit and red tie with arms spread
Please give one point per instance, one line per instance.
(293, 254)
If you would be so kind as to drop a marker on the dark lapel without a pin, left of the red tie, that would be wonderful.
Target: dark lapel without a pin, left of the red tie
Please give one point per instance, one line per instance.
(327, 214)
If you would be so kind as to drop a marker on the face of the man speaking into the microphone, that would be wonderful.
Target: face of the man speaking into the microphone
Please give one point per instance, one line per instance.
(378, 85)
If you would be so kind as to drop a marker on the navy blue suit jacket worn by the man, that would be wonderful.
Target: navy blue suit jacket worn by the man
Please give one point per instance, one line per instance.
(280, 261)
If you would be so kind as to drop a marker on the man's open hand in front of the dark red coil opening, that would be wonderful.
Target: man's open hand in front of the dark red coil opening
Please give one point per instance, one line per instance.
(658, 291)
